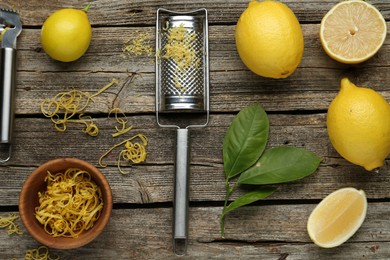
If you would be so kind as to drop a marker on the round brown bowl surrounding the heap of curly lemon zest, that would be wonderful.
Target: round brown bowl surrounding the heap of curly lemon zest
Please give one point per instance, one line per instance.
(35, 183)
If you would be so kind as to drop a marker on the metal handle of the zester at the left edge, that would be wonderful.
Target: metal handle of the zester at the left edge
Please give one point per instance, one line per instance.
(7, 93)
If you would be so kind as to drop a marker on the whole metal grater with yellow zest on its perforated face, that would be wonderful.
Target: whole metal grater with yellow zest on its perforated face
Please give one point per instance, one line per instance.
(182, 90)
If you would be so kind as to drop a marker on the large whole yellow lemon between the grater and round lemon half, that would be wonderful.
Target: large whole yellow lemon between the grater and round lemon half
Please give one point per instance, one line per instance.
(269, 39)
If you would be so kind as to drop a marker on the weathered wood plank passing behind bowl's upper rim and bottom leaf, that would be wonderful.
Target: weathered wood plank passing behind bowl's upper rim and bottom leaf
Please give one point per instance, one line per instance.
(154, 184)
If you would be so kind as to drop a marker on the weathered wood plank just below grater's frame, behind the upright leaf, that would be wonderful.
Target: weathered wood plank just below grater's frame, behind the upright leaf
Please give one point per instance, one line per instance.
(33, 136)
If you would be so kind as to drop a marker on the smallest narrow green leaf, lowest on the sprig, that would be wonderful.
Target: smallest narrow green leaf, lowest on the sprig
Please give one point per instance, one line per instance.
(249, 198)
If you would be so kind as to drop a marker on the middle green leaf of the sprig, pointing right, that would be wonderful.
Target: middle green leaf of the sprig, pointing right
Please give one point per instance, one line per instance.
(281, 164)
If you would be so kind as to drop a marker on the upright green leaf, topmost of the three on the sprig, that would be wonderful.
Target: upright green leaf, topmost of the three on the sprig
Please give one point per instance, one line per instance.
(245, 140)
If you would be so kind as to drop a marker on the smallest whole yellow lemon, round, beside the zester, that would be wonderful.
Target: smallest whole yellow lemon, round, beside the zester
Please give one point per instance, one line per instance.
(66, 34)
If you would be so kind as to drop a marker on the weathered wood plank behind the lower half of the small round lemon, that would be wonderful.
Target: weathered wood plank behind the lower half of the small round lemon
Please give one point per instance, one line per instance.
(105, 52)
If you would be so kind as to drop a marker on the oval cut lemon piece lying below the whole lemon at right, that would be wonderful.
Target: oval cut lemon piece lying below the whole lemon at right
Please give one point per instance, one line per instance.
(337, 217)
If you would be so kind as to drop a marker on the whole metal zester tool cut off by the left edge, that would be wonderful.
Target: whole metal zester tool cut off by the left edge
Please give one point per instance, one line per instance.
(10, 28)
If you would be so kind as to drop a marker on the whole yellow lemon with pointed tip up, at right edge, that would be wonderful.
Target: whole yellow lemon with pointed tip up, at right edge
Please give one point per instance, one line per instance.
(358, 122)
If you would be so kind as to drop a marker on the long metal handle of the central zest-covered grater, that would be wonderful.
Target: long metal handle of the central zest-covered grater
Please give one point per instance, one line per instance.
(181, 196)
